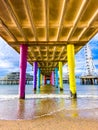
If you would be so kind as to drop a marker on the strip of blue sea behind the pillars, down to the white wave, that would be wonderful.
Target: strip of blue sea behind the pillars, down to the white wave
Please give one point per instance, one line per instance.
(82, 91)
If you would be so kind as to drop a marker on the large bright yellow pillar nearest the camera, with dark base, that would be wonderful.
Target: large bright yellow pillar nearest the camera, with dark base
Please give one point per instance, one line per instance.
(71, 67)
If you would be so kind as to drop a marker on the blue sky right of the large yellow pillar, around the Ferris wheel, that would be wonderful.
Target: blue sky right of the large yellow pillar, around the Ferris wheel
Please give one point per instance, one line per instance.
(80, 56)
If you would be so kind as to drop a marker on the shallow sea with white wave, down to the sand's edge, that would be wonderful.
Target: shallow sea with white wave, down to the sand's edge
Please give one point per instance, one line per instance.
(38, 104)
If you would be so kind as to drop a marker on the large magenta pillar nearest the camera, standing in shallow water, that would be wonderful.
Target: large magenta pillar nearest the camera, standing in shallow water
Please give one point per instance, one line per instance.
(23, 65)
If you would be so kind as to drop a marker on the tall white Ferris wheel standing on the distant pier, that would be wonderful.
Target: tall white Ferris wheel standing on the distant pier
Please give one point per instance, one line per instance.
(90, 75)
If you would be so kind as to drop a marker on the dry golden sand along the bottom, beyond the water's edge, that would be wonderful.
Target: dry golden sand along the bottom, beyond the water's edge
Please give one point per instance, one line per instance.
(56, 121)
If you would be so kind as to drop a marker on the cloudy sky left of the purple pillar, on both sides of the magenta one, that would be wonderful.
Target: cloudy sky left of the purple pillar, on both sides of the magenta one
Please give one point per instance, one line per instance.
(9, 59)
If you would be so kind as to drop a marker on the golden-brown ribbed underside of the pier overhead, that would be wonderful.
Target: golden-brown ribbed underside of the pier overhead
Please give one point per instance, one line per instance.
(47, 26)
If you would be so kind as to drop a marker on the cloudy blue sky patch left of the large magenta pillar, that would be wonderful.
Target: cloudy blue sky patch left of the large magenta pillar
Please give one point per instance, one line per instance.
(8, 56)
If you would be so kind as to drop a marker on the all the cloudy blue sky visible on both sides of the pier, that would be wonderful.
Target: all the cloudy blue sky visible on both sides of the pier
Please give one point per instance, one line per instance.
(9, 58)
